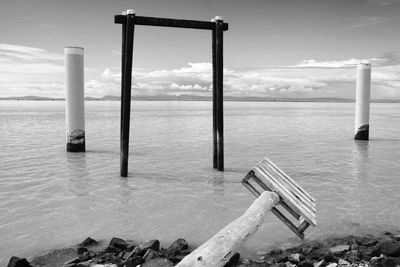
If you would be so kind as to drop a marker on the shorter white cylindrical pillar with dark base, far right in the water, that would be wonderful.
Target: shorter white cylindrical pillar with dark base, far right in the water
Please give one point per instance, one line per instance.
(363, 91)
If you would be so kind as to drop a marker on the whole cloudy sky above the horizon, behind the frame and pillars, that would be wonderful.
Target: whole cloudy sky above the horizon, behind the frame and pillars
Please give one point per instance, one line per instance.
(273, 48)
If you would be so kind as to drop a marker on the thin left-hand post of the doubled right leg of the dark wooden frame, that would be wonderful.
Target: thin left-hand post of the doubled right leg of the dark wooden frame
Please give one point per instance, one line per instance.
(214, 98)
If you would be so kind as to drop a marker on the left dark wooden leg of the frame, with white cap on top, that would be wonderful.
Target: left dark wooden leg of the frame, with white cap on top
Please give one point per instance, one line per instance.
(126, 96)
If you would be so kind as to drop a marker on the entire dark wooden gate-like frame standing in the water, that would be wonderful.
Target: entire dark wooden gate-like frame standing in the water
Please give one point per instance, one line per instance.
(128, 20)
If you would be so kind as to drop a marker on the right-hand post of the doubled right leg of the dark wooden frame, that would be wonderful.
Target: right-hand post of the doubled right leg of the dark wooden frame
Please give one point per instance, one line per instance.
(219, 71)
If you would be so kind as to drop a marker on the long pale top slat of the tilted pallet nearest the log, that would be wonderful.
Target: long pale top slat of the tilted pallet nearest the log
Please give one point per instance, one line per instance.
(286, 195)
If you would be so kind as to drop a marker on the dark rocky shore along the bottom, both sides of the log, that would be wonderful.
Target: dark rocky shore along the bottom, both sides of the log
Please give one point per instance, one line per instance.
(348, 251)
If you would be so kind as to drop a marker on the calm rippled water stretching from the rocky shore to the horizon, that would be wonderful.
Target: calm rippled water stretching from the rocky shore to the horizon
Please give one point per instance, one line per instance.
(51, 199)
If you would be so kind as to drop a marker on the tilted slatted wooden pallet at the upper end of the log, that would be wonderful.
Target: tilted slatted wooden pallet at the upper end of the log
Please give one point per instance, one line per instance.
(298, 205)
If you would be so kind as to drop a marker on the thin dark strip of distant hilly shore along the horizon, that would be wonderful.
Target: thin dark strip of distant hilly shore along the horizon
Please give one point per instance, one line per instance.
(187, 98)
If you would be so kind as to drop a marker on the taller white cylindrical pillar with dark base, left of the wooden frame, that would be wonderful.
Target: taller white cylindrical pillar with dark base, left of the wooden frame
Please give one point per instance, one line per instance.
(75, 102)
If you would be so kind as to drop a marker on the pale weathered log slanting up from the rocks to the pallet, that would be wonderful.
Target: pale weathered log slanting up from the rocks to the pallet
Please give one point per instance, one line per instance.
(222, 246)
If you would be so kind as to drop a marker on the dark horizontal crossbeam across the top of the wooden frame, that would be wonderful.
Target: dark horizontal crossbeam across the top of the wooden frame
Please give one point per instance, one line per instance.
(165, 22)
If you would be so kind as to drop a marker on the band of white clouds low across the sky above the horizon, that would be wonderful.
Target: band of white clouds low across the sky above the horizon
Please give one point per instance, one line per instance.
(30, 70)
